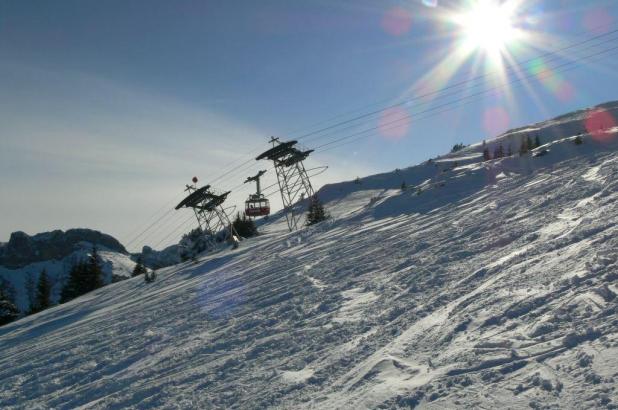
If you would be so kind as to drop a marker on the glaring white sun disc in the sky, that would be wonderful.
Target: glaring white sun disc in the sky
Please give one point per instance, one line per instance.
(488, 26)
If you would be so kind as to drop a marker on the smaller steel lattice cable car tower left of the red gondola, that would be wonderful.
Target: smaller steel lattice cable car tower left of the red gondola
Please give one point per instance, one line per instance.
(209, 212)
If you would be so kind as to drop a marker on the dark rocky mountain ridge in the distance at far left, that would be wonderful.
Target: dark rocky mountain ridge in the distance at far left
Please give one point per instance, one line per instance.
(23, 249)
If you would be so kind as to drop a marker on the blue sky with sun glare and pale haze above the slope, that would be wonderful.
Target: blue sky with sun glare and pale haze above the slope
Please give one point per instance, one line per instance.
(108, 108)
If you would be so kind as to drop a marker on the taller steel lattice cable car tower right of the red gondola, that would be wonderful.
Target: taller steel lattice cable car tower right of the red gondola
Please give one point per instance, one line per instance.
(292, 177)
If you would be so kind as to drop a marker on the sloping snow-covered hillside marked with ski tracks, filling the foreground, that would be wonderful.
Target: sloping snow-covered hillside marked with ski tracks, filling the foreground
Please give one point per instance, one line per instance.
(482, 285)
